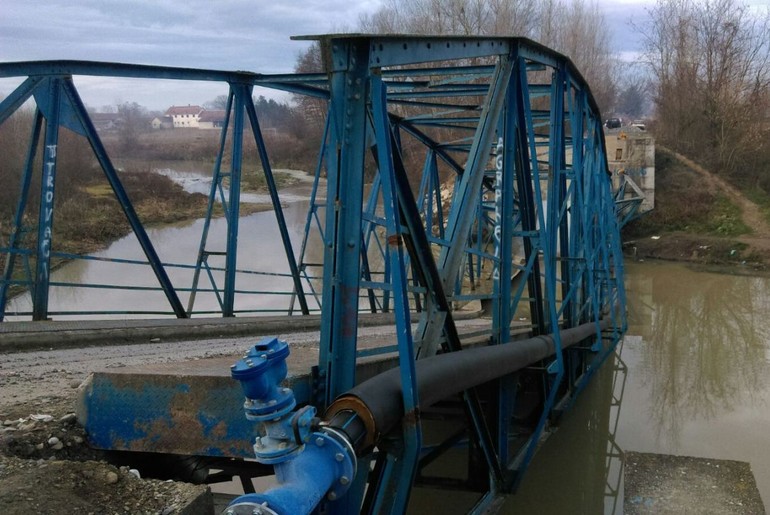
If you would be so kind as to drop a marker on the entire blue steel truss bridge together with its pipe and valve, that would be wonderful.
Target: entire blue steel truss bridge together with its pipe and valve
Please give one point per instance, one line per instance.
(452, 171)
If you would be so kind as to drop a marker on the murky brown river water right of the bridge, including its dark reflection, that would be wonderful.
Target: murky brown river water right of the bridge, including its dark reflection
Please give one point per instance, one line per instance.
(693, 379)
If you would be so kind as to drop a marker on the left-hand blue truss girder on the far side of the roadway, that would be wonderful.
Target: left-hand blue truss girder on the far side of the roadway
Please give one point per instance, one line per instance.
(58, 103)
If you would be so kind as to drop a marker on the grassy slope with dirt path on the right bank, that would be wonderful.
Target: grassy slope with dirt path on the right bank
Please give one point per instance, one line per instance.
(698, 217)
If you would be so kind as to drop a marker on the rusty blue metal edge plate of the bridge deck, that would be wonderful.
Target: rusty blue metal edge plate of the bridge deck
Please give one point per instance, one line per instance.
(193, 407)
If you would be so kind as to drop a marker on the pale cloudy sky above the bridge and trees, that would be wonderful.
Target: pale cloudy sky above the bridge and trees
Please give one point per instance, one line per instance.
(248, 35)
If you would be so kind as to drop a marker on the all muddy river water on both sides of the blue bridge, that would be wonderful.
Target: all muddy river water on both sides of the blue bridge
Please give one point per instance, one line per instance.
(692, 379)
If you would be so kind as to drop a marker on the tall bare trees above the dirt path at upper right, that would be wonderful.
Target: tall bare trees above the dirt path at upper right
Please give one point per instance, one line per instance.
(711, 66)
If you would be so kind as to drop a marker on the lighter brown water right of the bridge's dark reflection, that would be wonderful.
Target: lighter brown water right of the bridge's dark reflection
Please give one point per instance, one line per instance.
(698, 366)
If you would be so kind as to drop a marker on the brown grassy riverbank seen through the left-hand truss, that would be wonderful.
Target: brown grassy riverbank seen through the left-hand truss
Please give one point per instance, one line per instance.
(89, 218)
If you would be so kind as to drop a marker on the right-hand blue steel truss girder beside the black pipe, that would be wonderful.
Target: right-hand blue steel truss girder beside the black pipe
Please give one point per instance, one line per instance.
(551, 198)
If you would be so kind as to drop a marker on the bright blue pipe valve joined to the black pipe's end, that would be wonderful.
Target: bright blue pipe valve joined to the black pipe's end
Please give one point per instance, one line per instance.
(311, 463)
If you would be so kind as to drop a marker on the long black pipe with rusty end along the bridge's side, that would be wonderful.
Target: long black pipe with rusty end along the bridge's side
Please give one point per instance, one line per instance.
(374, 407)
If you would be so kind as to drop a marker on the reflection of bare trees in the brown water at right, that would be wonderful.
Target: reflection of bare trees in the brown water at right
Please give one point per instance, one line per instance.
(704, 342)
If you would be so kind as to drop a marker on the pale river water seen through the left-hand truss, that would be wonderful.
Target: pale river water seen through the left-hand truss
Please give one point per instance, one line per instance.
(258, 236)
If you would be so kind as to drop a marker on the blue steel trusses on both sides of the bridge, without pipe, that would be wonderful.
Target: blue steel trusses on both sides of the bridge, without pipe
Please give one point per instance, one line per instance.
(487, 181)
